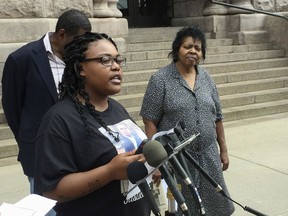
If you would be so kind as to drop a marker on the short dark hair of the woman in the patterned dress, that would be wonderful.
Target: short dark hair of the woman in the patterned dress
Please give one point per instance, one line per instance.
(190, 31)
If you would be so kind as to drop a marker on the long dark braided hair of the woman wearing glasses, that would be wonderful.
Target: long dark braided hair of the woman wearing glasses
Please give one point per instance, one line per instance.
(73, 84)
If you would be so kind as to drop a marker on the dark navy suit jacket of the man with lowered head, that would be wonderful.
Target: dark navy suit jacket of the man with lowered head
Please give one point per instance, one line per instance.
(28, 91)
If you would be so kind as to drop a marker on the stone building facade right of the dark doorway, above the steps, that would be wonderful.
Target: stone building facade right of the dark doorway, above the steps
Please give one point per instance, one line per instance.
(234, 22)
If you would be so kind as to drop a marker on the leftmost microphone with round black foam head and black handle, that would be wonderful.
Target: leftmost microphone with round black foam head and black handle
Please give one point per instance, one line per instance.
(137, 171)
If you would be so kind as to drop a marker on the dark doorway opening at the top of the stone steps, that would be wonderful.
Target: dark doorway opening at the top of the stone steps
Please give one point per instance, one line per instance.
(144, 13)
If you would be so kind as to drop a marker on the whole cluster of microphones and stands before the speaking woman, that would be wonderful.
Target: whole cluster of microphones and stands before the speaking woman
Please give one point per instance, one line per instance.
(171, 148)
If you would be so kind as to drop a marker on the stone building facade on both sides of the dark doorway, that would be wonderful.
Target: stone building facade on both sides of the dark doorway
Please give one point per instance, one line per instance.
(27, 20)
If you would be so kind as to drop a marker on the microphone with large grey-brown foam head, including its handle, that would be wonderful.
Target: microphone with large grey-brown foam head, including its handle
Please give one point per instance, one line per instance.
(154, 154)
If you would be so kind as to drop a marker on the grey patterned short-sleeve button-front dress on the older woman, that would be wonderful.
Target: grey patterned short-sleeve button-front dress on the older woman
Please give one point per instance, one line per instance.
(168, 100)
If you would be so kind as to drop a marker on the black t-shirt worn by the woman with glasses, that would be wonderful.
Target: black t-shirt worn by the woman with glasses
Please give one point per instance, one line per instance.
(63, 146)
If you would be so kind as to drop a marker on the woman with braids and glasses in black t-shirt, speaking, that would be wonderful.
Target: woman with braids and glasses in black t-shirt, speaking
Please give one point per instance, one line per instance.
(80, 157)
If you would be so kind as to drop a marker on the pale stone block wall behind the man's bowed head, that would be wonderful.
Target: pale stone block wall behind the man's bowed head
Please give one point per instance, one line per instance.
(27, 20)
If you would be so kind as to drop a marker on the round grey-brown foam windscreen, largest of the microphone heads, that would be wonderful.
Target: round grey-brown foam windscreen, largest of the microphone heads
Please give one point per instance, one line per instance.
(154, 153)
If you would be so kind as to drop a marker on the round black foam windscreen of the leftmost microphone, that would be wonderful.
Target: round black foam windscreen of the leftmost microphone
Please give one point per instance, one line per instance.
(136, 171)
